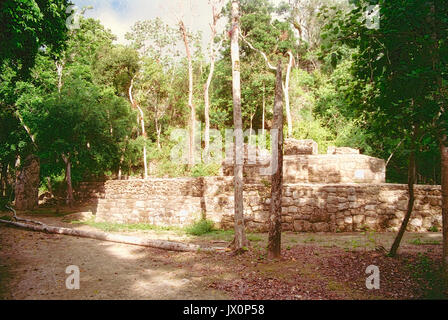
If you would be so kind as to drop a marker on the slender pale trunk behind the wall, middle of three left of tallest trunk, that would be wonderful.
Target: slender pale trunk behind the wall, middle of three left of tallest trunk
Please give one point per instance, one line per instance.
(191, 149)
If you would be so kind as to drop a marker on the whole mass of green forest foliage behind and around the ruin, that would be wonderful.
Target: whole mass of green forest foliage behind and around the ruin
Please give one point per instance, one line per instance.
(350, 86)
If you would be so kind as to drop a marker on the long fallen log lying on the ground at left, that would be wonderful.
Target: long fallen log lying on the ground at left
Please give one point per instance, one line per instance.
(98, 235)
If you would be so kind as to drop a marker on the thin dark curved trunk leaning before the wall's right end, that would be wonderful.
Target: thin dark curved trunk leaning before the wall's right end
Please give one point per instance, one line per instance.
(411, 181)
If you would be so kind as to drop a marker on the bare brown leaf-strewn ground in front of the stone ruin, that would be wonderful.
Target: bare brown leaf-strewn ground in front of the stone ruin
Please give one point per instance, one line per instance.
(313, 266)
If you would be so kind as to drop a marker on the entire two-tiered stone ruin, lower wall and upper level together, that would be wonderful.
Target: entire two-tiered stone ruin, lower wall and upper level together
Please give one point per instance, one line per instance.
(341, 191)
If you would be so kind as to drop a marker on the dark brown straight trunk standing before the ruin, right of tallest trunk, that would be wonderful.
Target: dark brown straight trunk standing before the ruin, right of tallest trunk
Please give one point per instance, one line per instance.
(275, 219)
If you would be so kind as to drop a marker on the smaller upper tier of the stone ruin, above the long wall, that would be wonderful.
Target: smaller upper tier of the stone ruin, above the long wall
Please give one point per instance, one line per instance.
(303, 164)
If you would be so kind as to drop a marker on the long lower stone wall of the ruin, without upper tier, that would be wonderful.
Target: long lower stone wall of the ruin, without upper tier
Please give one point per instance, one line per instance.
(306, 207)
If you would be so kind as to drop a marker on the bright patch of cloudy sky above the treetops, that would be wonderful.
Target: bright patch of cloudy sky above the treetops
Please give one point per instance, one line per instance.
(120, 15)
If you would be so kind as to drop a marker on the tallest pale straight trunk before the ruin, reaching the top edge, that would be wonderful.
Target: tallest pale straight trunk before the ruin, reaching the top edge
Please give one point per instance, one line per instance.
(240, 240)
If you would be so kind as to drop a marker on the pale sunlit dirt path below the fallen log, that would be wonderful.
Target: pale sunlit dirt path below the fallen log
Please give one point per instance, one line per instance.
(32, 266)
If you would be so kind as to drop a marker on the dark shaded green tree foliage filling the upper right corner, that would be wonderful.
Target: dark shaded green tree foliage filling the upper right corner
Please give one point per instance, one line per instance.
(398, 71)
